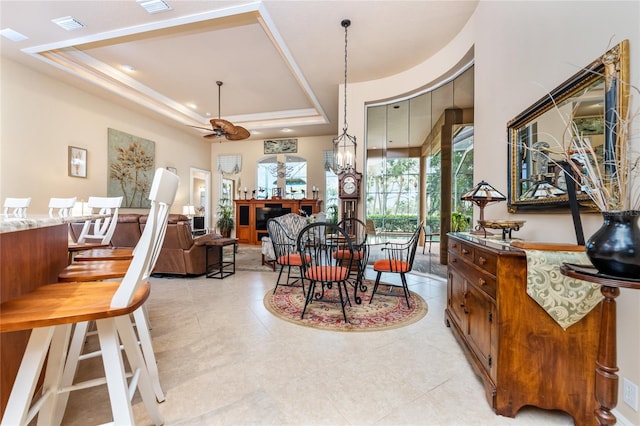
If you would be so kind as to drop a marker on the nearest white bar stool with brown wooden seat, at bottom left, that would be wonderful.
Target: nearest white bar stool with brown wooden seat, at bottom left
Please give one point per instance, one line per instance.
(51, 311)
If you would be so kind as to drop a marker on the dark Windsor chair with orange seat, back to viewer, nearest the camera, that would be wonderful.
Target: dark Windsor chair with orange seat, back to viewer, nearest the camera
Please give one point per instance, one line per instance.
(327, 275)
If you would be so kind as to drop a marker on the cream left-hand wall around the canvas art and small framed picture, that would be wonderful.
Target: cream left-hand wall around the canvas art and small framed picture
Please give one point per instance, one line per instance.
(41, 117)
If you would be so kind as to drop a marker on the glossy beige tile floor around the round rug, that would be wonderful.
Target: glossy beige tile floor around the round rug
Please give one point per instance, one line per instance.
(224, 360)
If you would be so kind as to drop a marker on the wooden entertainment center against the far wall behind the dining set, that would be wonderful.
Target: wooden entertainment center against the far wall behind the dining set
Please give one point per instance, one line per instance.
(252, 215)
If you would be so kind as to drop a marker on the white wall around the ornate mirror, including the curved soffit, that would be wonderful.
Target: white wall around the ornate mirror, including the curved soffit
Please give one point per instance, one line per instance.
(522, 50)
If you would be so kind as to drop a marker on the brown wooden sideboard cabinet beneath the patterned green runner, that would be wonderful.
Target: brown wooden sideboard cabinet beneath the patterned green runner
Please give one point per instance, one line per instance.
(522, 356)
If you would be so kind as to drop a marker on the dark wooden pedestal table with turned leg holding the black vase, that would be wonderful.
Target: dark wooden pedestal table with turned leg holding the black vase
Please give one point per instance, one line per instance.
(606, 378)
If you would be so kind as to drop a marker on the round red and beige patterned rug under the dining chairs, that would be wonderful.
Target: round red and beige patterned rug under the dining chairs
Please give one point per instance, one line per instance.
(385, 313)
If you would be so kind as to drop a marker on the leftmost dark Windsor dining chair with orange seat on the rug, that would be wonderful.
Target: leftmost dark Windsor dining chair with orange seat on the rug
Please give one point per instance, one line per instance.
(286, 255)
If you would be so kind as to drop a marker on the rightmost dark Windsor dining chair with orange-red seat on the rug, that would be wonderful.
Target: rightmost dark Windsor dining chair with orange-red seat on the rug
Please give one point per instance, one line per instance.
(397, 259)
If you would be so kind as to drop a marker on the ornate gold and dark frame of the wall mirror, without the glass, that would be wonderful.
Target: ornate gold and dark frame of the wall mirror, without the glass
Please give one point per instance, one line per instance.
(613, 66)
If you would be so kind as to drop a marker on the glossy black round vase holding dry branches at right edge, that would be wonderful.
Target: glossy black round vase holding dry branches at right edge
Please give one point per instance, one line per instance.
(615, 248)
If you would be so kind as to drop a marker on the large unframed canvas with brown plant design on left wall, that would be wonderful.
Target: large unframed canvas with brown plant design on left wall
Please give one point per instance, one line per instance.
(131, 168)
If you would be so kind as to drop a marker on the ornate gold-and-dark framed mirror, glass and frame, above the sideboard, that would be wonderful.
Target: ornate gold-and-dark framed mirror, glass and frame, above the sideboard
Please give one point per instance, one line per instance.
(591, 101)
